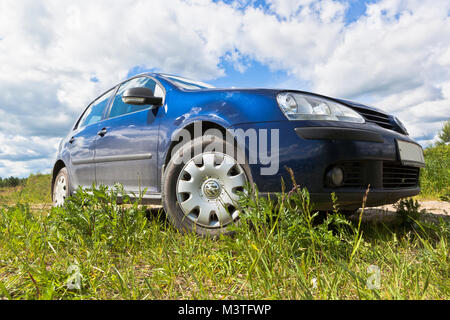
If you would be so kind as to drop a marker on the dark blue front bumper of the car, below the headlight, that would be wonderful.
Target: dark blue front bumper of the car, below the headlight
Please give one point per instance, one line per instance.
(367, 152)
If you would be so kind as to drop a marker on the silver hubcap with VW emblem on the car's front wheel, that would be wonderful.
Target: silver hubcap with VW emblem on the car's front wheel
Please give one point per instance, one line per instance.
(207, 189)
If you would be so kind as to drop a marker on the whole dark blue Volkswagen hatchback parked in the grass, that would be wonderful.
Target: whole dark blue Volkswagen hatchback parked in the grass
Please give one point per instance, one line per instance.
(195, 148)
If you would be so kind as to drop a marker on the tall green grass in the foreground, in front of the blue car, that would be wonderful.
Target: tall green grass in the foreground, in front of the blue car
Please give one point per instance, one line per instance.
(282, 252)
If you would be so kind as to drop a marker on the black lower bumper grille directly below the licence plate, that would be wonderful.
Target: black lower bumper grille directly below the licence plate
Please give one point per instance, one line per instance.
(396, 176)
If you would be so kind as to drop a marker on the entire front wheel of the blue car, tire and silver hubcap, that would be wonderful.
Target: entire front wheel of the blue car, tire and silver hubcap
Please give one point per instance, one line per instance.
(201, 194)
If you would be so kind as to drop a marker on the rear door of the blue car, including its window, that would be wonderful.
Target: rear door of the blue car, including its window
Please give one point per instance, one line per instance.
(83, 140)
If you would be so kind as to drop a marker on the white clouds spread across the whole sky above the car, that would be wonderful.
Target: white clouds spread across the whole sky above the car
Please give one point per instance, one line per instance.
(55, 56)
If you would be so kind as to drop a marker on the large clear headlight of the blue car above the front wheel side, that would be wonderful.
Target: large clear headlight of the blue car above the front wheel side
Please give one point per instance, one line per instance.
(298, 106)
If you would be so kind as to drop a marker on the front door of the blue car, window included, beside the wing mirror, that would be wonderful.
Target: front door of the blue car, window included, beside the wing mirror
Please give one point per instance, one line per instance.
(126, 152)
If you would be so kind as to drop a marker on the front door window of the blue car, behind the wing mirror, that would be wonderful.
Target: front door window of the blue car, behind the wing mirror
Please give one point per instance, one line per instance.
(120, 108)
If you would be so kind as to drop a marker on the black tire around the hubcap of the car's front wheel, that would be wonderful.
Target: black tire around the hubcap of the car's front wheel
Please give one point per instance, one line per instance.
(170, 202)
